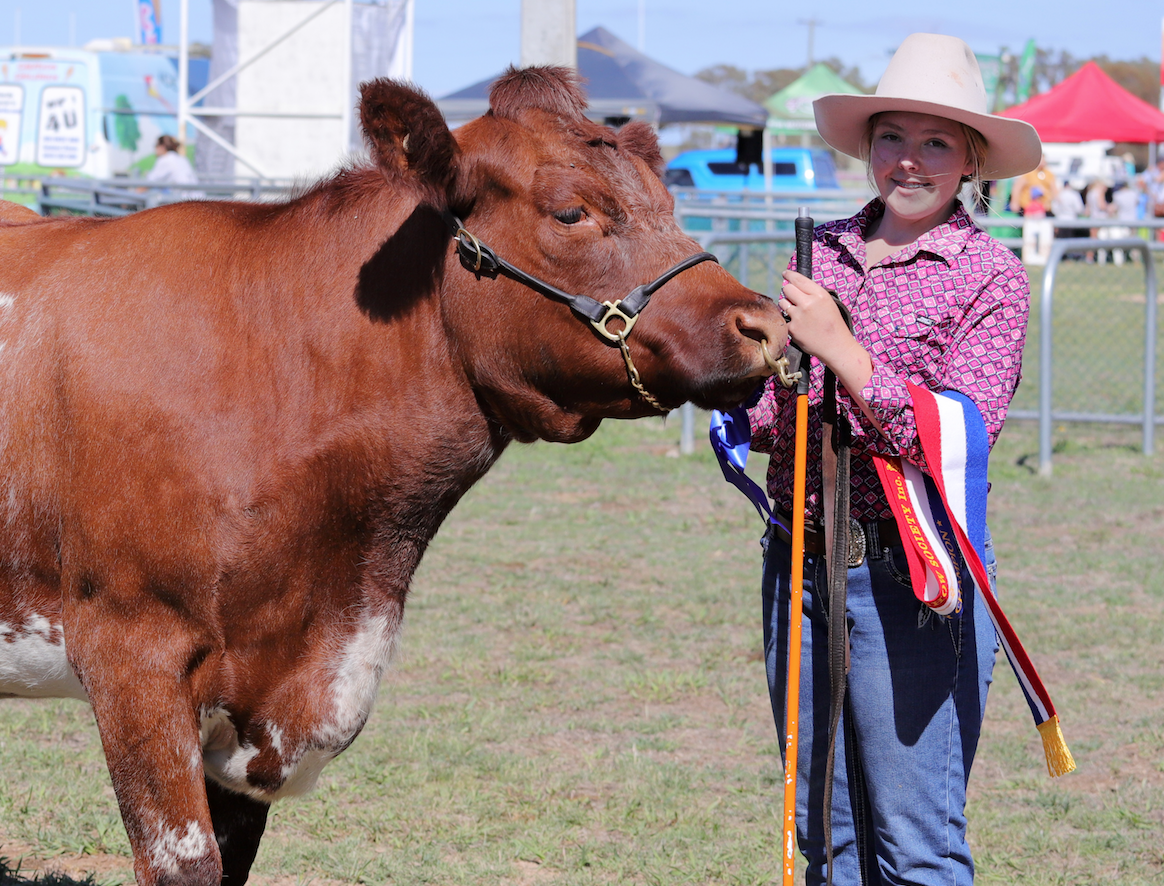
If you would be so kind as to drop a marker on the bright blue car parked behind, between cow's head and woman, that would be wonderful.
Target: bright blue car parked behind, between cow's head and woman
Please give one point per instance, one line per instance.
(793, 169)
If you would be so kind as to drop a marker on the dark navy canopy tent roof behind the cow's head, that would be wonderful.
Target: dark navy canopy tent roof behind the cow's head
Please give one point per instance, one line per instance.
(621, 82)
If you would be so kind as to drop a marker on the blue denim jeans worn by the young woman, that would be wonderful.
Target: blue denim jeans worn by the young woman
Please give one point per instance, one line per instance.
(917, 699)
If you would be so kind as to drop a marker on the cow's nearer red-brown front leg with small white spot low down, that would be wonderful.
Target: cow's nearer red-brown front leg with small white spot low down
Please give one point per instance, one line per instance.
(139, 657)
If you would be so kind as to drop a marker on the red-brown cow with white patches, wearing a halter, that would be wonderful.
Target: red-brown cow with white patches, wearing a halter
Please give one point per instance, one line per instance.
(229, 431)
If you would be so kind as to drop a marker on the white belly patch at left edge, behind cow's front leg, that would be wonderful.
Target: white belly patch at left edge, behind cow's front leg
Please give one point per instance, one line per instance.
(33, 662)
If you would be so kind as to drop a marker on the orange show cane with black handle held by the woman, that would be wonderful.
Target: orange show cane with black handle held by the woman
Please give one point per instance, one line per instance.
(792, 697)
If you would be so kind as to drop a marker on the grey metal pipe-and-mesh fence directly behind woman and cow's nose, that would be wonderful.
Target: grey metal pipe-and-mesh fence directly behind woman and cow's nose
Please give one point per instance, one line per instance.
(1089, 310)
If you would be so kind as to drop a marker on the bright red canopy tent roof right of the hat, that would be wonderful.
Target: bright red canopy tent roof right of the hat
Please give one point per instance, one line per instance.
(1089, 107)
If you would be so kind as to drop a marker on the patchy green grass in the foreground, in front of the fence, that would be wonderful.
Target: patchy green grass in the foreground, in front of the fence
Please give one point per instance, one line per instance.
(580, 697)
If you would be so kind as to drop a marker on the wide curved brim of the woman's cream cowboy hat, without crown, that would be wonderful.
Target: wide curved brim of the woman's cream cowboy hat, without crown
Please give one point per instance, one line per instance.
(1013, 147)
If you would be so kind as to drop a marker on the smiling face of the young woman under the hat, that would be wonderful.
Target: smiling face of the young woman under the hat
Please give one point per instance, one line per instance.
(917, 162)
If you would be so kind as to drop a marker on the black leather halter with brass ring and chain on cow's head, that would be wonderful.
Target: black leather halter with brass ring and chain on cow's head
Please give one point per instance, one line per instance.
(481, 260)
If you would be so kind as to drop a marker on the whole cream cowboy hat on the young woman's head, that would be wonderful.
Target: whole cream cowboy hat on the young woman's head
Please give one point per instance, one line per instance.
(932, 74)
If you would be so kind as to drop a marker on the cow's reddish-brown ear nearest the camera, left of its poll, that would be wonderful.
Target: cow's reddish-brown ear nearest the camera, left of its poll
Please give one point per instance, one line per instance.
(407, 134)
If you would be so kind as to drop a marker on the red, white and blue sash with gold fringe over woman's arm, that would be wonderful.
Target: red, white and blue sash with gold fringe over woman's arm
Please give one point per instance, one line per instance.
(942, 520)
